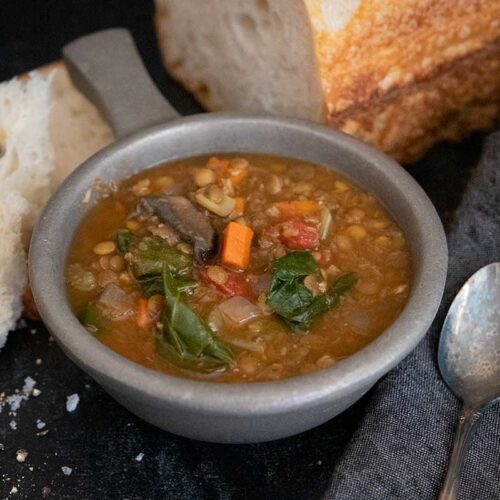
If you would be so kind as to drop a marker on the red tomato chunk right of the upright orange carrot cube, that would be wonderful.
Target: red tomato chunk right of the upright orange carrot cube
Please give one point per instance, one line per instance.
(296, 233)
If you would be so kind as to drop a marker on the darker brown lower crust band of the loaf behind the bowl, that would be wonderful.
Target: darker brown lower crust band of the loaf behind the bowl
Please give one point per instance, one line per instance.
(461, 98)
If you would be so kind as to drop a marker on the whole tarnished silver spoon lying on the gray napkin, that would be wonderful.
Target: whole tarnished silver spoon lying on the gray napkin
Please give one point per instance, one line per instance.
(469, 360)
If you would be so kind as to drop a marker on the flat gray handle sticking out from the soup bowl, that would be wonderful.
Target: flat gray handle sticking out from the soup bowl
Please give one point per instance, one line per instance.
(106, 67)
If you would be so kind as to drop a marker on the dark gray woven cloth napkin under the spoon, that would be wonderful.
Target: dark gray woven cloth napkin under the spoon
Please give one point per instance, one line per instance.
(401, 446)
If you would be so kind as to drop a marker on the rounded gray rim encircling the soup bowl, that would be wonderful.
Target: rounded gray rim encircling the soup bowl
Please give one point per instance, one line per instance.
(260, 398)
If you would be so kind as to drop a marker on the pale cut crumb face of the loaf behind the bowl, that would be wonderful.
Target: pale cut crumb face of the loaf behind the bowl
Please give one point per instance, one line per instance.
(244, 55)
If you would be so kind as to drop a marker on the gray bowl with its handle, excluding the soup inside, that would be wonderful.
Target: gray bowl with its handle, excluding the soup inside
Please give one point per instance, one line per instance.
(201, 410)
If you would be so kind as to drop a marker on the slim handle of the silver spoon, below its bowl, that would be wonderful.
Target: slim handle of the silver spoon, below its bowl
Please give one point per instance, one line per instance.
(463, 435)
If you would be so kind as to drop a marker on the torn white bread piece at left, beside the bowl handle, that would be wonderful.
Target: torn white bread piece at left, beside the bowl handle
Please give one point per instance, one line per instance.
(47, 128)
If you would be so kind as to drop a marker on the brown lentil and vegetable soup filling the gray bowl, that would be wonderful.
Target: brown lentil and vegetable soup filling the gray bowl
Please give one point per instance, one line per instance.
(237, 269)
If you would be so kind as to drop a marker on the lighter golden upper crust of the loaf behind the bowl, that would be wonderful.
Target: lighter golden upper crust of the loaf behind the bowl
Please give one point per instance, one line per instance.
(392, 44)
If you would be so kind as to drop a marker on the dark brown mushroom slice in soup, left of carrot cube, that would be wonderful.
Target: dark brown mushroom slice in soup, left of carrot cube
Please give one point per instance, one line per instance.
(191, 224)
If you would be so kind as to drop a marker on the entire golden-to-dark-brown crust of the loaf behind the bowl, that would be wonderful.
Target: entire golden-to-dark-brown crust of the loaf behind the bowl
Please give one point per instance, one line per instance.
(410, 74)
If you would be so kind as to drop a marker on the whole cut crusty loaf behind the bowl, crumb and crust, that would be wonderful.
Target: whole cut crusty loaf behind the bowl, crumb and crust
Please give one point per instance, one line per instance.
(399, 74)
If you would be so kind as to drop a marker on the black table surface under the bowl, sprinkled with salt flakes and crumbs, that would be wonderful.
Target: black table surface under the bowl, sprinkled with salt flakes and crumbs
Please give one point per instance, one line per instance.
(100, 440)
